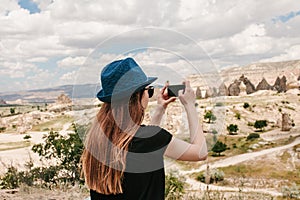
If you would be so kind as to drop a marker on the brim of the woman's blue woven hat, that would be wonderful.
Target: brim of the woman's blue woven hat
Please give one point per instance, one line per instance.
(124, 94)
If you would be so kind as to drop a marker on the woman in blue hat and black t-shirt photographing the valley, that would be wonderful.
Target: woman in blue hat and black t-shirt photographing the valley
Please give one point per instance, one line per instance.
(124, 159)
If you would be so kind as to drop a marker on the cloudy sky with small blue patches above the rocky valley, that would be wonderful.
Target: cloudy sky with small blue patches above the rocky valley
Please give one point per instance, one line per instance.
(46, 43)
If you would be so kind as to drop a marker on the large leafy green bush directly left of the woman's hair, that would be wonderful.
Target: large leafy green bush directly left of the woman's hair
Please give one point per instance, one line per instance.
(66, 150)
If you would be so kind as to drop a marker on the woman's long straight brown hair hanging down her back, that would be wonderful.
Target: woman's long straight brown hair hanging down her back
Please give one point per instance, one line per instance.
(106, 144)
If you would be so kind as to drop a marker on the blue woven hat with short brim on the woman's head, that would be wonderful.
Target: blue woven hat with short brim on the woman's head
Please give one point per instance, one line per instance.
(120, 79)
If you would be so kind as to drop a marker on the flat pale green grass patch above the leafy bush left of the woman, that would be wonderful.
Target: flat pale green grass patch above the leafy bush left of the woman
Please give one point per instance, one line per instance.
(55, 124)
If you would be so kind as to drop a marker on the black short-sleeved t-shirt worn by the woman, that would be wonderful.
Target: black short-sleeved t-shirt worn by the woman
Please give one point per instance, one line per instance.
(144, 177)
